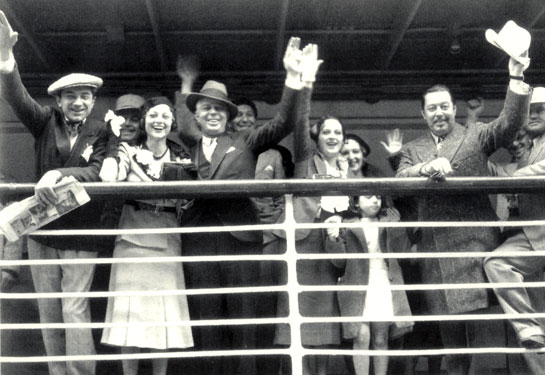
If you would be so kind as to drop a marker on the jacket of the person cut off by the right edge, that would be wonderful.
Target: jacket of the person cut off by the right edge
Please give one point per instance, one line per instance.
(532, 206)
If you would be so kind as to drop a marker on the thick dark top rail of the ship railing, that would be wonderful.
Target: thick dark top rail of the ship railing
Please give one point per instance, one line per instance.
(301, 187)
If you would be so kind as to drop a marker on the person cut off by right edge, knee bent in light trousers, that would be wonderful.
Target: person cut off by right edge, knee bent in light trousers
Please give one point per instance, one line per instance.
(513, 269)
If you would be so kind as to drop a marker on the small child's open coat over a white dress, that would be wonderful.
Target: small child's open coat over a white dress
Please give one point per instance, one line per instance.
(356, 272)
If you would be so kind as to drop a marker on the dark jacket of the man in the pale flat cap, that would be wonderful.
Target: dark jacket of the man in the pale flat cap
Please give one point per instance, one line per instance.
(52, 150)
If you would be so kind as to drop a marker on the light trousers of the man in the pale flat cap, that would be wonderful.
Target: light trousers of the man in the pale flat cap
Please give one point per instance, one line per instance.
(64, 278)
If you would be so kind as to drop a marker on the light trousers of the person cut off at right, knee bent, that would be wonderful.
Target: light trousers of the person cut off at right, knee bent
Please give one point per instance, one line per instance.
(515, 270)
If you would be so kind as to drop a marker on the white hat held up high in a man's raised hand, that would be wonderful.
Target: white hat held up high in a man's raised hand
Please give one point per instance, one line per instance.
(512, 39)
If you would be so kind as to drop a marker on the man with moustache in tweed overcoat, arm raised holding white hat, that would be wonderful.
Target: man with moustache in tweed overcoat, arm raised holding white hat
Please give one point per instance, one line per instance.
(450, 149)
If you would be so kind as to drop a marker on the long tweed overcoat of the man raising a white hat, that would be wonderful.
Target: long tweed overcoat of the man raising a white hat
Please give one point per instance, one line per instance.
(467, 149)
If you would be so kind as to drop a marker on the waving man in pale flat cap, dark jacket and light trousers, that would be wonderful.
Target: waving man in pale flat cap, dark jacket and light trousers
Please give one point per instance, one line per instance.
(67, 143)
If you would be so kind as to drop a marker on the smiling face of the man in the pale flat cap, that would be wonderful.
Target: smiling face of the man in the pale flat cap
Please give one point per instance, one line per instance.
(76, 103)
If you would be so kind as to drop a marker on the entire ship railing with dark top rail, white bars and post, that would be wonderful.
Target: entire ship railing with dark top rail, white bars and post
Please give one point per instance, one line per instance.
(250, 188)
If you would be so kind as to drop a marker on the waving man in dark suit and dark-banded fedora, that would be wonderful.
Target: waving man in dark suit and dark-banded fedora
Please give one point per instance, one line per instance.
(223, 155)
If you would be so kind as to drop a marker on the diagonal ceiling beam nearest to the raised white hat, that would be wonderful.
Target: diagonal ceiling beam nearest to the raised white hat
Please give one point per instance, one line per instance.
(400, 23)
